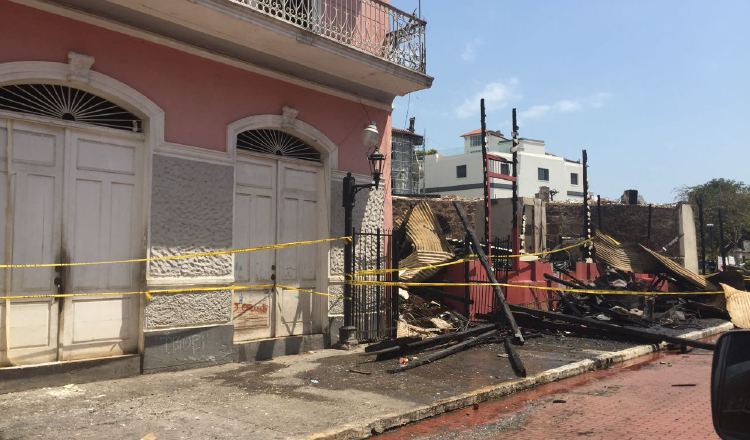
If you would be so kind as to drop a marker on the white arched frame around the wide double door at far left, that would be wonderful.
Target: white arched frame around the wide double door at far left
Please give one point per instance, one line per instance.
(109, 88)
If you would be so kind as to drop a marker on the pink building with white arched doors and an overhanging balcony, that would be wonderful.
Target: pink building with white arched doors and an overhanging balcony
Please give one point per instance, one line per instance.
(132, 129)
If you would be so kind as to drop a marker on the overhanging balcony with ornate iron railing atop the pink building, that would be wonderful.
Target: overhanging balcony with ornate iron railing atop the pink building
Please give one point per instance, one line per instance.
(366, 48)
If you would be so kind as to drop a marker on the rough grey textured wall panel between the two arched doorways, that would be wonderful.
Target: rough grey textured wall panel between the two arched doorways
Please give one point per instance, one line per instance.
(191, 211)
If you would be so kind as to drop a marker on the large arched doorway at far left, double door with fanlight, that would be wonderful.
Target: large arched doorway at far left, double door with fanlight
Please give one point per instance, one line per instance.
(72, 164)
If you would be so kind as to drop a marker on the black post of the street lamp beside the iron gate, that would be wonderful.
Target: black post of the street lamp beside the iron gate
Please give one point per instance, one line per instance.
(347, 333)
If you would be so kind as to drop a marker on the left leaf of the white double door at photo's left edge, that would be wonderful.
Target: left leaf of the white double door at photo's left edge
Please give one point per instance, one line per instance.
(37, 172)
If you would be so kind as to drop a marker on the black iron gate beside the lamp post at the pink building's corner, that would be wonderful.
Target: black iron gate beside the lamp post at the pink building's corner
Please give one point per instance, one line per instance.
(375, 307)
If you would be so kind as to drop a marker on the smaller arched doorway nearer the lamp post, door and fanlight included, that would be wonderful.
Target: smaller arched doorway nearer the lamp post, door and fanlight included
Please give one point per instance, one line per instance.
(280, 197)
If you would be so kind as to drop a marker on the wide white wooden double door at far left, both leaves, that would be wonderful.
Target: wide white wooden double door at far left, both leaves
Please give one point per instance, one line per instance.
(75, 198)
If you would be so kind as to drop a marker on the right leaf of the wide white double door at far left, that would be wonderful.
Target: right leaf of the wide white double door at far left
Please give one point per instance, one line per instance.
(103, 222)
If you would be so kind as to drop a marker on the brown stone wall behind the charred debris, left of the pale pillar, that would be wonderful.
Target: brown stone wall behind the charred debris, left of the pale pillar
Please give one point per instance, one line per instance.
(627, 223)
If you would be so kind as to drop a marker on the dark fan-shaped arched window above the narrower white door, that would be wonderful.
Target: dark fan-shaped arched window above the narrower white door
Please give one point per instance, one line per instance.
(278, 143)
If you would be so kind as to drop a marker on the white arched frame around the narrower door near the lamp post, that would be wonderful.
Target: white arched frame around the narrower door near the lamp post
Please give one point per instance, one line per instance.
(329, 151)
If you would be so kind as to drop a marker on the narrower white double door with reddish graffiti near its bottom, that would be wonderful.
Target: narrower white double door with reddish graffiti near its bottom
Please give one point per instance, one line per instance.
(276, 201)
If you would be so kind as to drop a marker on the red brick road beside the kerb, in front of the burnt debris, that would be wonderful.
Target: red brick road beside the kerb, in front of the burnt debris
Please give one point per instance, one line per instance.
(664, 396)
